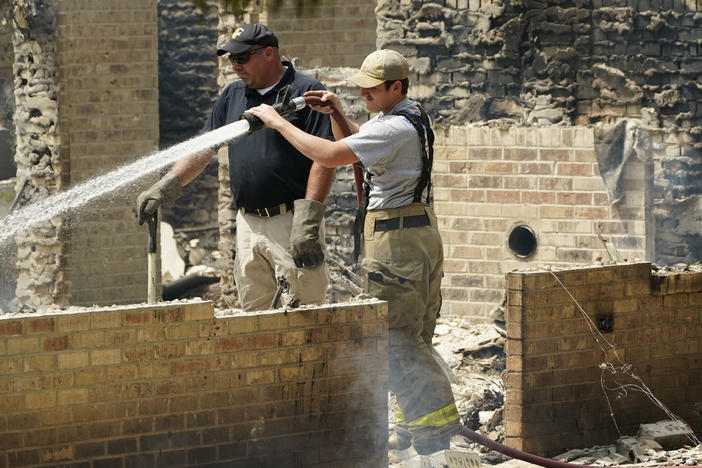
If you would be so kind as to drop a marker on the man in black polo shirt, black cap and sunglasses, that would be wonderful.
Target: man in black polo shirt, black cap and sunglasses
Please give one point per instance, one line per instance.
(279, 193)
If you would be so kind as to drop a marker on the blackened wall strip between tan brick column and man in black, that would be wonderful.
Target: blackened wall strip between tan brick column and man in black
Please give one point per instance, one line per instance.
(187, 90)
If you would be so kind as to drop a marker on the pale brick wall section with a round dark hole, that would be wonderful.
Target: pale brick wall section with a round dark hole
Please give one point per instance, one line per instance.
(488, 180)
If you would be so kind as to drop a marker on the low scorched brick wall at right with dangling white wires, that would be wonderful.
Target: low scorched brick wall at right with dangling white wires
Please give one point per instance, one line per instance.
(554, 399)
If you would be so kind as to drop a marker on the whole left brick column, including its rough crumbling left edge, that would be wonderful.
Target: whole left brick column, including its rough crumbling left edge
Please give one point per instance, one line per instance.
(86, 102)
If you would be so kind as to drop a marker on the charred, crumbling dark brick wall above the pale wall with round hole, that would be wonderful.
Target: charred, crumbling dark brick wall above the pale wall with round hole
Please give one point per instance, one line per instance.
(567, 63)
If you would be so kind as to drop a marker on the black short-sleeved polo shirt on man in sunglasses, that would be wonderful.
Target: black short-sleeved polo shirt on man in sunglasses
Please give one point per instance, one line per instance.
(264, 169)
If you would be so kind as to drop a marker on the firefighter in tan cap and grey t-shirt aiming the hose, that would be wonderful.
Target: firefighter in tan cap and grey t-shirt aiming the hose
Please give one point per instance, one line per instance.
(403, 253)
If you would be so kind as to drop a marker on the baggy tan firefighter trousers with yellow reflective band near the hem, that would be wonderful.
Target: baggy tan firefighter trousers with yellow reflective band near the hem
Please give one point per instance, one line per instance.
(404, 267)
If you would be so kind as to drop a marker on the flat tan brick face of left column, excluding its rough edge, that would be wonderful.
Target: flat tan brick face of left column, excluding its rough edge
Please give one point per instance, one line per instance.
(108, 112)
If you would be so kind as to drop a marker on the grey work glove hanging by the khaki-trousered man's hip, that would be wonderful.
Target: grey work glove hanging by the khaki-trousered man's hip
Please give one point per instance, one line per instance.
(305, 245)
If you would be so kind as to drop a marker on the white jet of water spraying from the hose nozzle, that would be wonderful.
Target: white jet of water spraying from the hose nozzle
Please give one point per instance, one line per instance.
(103, 185)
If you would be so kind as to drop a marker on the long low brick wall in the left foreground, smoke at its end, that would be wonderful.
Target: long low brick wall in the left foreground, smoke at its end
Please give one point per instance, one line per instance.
(172, 385)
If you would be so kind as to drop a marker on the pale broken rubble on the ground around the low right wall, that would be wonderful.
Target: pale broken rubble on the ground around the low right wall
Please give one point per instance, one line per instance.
(474, 355)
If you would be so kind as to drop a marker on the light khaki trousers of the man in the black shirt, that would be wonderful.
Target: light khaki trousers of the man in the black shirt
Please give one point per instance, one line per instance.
(263, 254)
